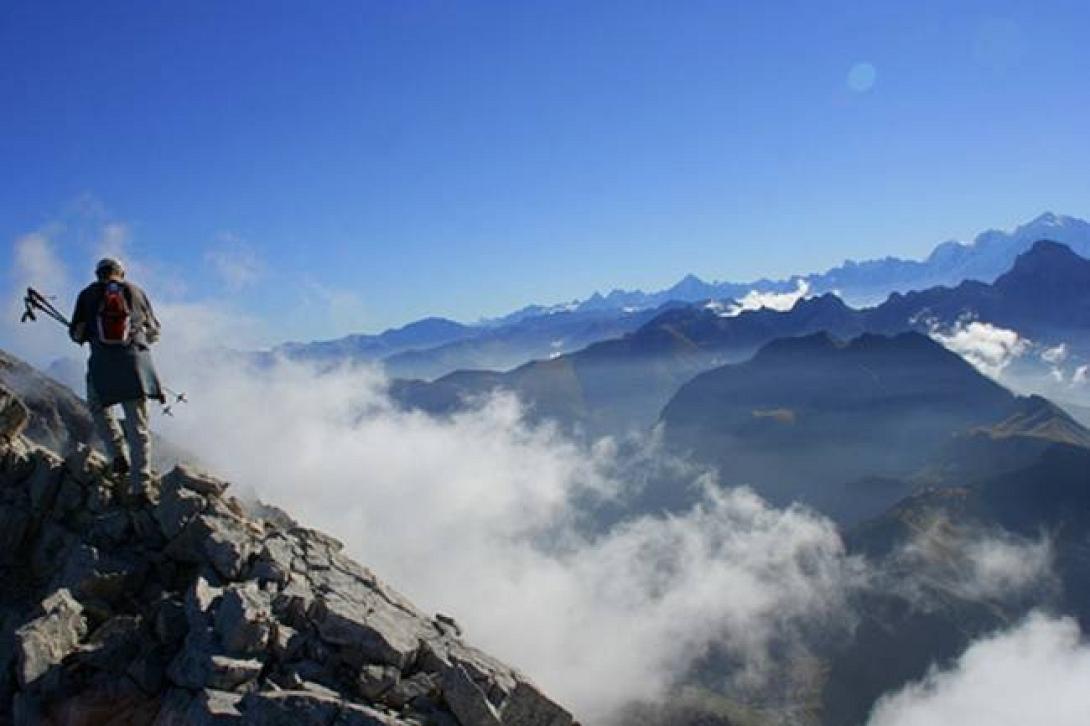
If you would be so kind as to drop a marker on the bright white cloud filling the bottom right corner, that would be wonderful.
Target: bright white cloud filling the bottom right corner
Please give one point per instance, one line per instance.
(1036, 673)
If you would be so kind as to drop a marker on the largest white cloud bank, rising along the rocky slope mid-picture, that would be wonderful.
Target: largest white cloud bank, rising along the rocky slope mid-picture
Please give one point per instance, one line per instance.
(481, 515)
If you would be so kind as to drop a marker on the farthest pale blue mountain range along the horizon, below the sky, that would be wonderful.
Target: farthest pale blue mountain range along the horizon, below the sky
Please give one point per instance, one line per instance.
(434, 347)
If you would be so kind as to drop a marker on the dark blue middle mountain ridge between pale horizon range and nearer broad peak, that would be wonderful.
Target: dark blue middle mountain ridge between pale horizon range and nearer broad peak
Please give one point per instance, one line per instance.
(624, 383)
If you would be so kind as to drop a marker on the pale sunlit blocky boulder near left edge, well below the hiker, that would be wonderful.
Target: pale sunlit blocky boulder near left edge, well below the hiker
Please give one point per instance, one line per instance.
(47, 640)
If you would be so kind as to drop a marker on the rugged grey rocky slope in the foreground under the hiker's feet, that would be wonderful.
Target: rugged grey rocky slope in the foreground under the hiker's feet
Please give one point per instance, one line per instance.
(191, 611)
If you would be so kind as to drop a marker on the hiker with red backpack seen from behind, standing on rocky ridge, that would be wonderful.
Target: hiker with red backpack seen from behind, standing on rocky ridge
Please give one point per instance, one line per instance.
(116, 318)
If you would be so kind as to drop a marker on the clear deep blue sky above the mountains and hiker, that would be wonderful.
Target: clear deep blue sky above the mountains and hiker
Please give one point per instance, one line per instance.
(413, 158)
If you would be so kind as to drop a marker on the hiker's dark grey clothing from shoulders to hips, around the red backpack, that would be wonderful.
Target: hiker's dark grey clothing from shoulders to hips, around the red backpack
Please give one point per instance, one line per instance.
(119, 373)
